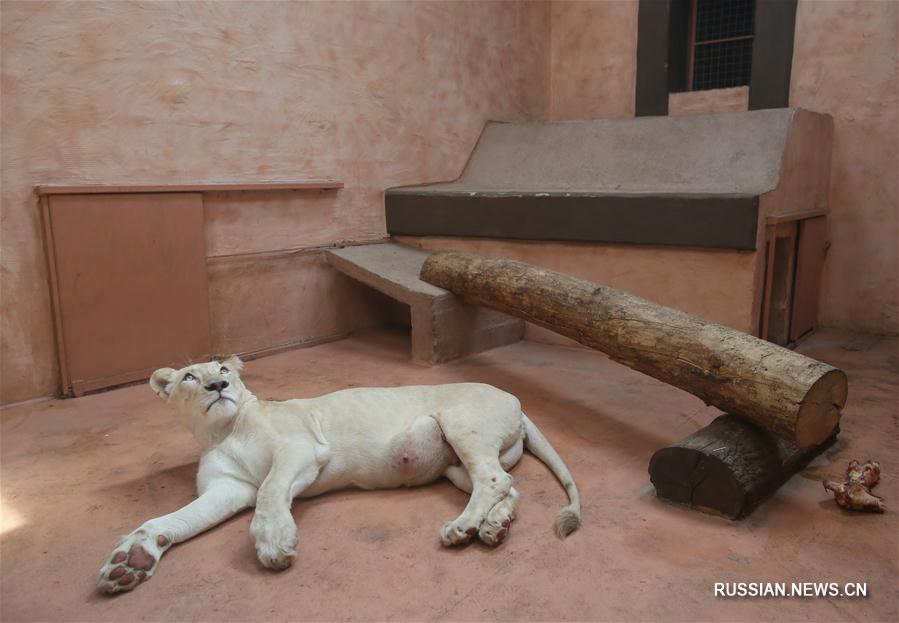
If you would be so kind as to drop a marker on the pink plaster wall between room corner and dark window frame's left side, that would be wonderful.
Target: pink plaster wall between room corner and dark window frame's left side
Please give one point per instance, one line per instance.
(593, 59)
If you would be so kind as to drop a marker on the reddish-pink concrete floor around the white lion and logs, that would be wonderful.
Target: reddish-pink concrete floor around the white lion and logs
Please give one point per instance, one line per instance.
(78, 473)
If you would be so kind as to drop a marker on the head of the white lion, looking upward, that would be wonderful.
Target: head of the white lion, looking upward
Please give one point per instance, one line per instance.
(207, 391)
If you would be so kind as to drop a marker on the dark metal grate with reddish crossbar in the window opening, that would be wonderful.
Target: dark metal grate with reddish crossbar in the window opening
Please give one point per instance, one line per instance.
(721, 43)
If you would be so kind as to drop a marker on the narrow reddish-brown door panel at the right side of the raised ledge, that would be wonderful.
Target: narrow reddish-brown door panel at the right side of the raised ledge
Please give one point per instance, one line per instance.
(809, 264)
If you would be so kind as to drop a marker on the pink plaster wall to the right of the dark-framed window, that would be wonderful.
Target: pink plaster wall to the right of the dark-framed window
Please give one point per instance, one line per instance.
(845, 64)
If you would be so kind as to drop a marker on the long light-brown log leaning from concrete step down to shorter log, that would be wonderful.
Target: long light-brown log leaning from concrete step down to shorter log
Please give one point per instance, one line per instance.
(791, 395)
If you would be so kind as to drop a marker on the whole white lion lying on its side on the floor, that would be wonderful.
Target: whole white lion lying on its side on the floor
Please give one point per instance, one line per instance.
(264, 453)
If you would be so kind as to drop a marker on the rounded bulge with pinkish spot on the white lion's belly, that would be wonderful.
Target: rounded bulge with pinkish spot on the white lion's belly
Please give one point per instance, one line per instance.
(420, 453)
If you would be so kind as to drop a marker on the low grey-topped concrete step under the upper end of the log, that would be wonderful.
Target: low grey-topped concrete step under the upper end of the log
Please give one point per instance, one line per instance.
(443, 327)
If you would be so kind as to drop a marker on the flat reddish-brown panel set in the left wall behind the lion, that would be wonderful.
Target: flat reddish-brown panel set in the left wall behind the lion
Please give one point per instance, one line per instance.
(130, 285)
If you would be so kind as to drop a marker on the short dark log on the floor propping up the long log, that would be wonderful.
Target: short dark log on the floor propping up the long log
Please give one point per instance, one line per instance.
(728, 467)
